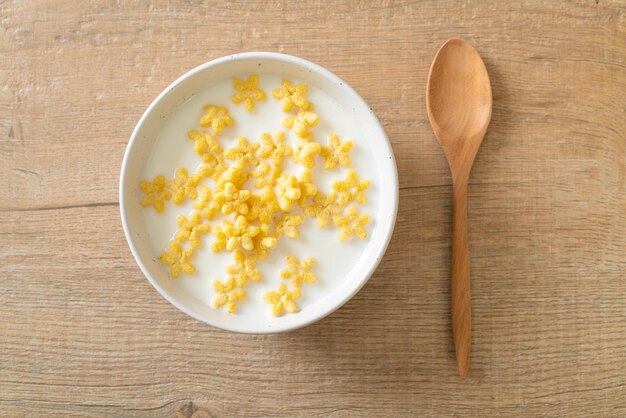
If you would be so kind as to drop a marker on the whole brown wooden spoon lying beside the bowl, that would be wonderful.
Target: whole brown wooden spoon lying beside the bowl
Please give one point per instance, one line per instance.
(458, 99)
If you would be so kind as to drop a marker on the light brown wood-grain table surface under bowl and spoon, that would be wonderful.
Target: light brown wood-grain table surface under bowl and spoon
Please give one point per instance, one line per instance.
(83, 333)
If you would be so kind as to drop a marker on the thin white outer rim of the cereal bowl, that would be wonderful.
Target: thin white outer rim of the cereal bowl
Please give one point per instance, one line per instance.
(309, 66)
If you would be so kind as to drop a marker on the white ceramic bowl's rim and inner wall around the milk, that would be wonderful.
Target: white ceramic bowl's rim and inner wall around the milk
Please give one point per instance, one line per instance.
(188, 85)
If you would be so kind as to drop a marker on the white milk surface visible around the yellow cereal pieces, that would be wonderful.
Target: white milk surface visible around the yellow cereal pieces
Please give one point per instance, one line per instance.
(334, 259)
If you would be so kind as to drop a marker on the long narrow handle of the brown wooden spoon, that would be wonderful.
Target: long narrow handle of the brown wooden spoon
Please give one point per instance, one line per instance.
(461, 302)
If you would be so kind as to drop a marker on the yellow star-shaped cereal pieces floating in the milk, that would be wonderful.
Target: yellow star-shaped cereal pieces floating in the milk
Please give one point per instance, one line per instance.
(252, 202)
